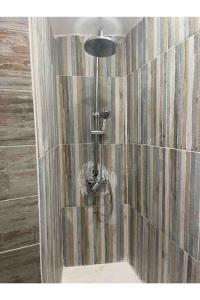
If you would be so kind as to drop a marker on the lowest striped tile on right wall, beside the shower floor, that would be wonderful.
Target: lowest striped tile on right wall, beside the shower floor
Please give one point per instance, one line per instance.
(156, 258)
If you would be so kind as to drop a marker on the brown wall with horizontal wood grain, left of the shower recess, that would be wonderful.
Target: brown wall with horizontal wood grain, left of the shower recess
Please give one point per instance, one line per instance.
(19, 224)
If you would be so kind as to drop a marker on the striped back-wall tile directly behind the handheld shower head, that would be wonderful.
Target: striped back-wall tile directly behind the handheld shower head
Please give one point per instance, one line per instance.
(77, 96)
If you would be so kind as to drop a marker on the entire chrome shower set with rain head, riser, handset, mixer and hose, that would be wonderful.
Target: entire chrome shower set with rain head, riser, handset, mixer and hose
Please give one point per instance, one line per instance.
(99, 47)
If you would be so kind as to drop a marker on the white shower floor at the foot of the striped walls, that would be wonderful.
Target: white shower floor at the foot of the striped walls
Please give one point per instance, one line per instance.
(120, 272)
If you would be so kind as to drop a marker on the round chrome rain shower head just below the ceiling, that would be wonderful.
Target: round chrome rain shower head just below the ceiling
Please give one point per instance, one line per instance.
(100, 46)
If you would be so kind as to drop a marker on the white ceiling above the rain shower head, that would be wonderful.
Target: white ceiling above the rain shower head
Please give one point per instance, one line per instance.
(90, 25)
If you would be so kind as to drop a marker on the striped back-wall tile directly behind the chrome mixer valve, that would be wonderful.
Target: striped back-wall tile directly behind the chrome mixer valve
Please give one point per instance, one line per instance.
(77, 160)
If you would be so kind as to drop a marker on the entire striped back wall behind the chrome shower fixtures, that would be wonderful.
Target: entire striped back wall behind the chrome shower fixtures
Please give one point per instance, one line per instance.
(88, 236)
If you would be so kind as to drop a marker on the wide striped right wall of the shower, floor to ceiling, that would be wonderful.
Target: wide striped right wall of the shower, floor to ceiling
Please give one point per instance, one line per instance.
(163, 65)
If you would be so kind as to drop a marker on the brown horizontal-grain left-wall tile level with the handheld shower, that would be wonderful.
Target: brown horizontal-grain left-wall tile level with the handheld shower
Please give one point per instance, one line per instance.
(16, 118)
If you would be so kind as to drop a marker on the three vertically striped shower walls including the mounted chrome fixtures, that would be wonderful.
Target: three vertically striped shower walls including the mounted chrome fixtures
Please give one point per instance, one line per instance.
(117, 124)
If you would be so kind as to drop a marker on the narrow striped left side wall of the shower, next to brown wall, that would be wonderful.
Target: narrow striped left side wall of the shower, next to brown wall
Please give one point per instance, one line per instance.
(44, 71)
